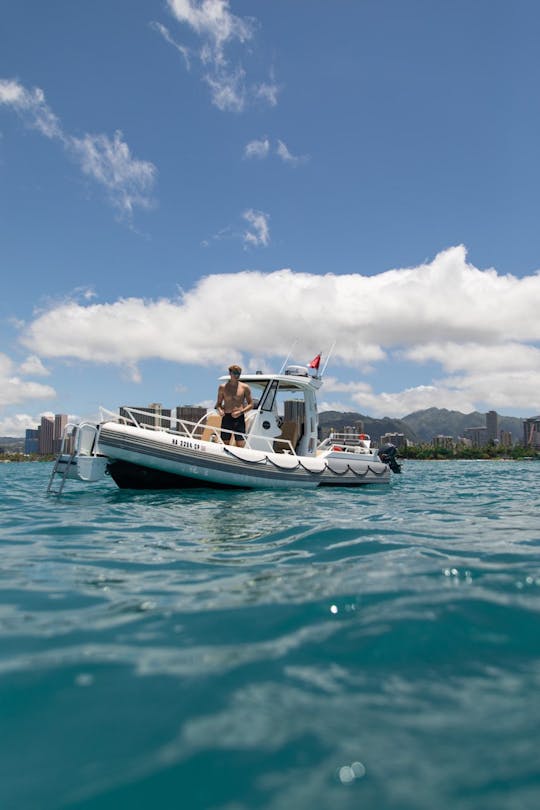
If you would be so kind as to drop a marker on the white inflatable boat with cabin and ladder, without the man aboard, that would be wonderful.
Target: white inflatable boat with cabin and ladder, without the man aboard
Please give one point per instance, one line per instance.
(281, 446)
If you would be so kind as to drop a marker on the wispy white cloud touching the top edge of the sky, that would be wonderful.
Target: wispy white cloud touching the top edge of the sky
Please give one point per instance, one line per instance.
(218, 30)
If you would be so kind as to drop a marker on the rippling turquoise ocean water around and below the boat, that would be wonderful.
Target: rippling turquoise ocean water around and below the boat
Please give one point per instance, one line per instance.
(377, 648)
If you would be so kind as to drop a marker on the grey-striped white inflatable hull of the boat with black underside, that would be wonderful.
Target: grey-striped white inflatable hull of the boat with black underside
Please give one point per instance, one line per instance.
(146, 459)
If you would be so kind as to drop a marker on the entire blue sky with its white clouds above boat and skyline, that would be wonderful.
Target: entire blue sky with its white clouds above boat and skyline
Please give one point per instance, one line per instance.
(187, 184)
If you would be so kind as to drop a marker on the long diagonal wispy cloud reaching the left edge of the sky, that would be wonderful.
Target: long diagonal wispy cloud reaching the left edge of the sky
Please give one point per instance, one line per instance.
(107, 161)
